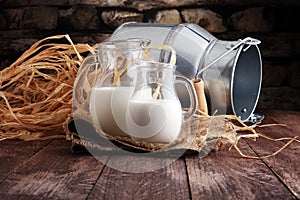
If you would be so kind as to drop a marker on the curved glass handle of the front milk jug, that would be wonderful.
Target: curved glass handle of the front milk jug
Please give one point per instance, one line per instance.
(192, 94)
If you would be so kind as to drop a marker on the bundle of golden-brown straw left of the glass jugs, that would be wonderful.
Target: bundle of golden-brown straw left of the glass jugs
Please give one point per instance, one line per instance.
(36, 90)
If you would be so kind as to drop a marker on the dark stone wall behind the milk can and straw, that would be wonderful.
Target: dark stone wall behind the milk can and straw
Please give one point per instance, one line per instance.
(274, 22)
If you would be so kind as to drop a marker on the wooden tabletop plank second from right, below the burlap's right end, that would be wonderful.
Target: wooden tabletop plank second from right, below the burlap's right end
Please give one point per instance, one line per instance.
(225, 175)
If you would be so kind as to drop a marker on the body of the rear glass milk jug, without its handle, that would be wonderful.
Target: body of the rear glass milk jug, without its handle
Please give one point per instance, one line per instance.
(111, 88)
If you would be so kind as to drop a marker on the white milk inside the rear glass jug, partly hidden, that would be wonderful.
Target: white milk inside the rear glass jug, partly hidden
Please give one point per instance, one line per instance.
(108, 108)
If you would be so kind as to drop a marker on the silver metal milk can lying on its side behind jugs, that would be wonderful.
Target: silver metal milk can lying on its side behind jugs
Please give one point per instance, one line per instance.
(231, 70)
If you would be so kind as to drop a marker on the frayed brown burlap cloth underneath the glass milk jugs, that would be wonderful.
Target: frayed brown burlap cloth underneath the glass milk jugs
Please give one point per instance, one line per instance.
(200, 134)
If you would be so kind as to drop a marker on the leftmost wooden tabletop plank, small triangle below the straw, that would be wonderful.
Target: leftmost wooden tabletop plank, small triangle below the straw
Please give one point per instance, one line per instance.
(15, 152)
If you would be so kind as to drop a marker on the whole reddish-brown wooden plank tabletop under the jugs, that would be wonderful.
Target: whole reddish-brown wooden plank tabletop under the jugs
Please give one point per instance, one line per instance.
(48, 170)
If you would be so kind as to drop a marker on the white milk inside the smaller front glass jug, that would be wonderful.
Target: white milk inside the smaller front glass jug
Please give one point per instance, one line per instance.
(154, 120)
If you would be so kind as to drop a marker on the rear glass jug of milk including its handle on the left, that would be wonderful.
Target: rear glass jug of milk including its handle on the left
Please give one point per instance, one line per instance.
(102, 85)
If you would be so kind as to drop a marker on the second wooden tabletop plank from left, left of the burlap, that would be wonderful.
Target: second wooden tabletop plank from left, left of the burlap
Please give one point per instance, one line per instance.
(53, 173)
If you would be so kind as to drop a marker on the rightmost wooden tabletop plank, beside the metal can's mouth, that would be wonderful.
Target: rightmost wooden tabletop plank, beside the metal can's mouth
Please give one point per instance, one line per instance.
(285, 164)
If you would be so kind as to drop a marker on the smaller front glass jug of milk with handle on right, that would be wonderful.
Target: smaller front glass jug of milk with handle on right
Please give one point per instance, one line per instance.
(154, 112)
